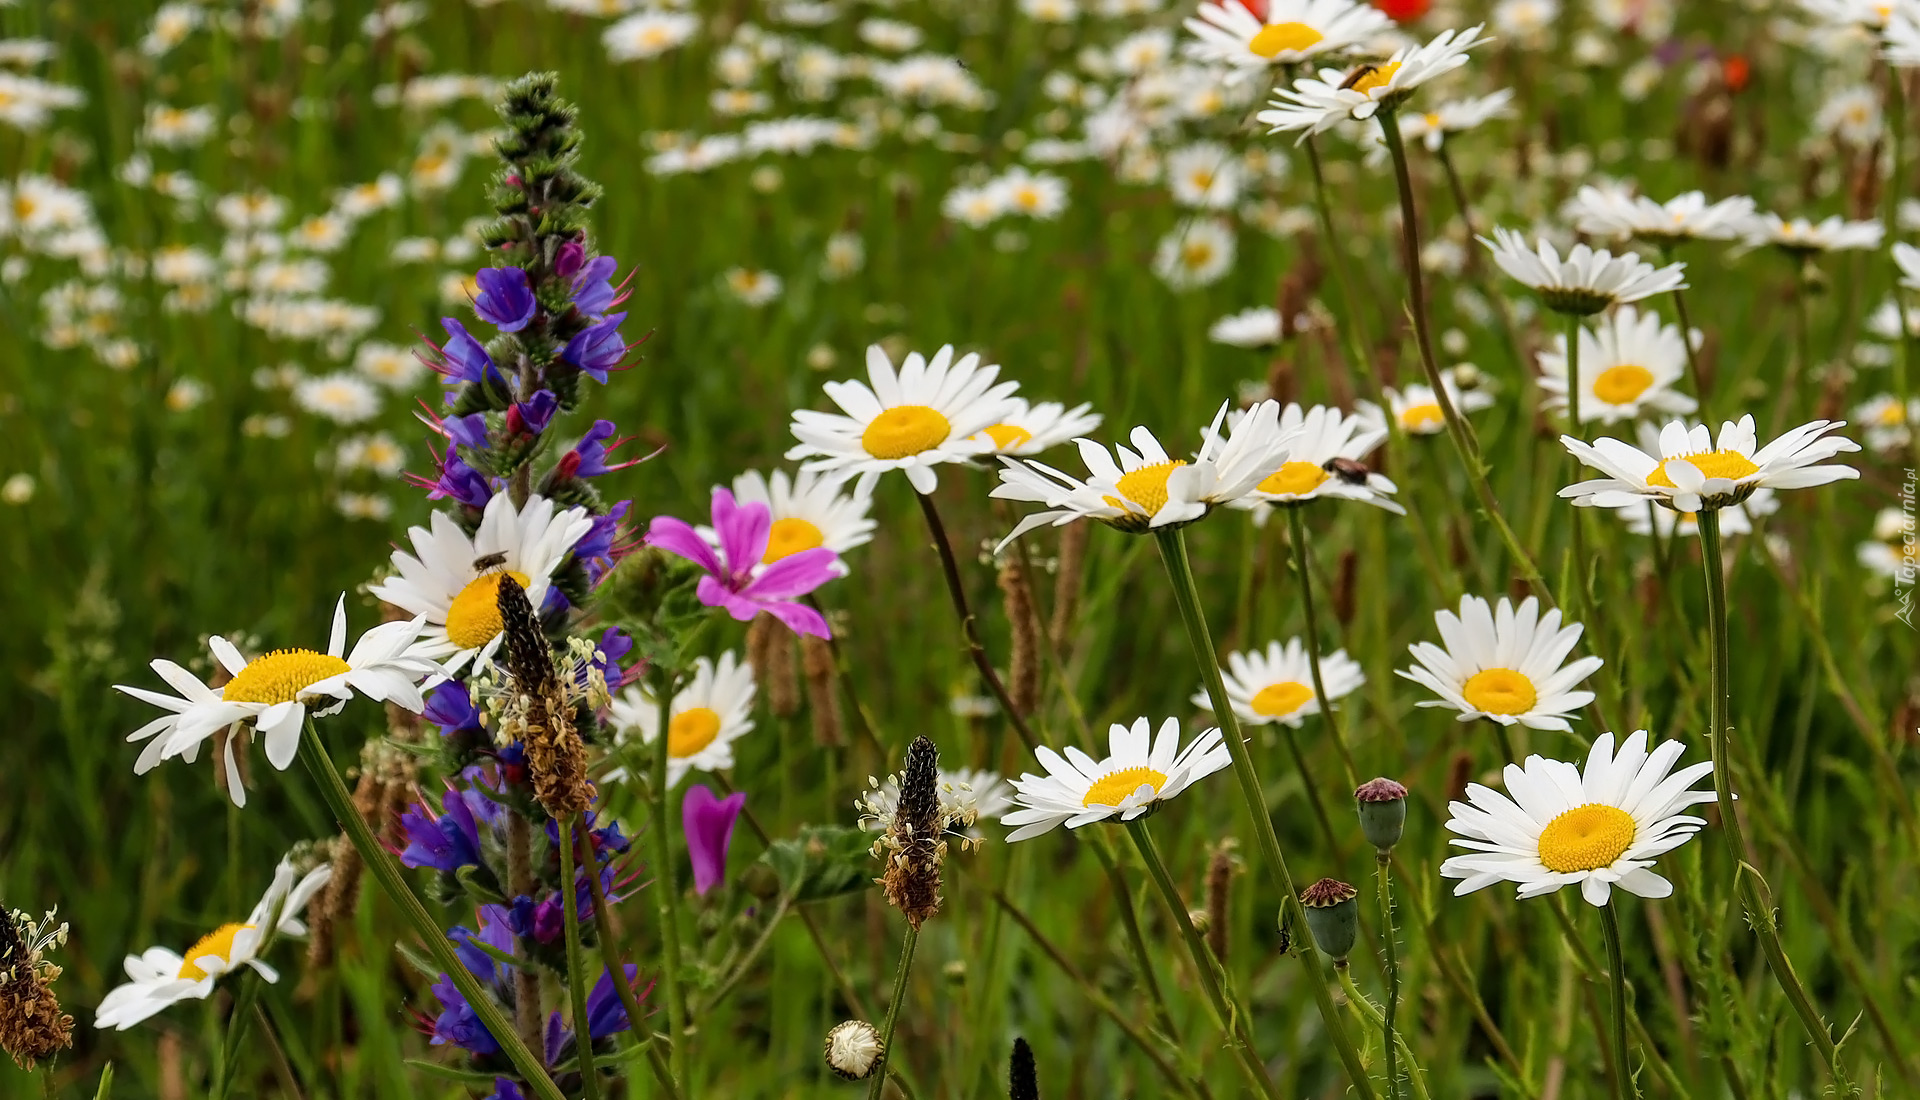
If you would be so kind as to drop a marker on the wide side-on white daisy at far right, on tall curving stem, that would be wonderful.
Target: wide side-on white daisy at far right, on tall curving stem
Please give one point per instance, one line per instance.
(1692, 471)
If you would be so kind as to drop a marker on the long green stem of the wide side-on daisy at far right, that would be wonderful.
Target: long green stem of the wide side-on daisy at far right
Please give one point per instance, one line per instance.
(1748, 882)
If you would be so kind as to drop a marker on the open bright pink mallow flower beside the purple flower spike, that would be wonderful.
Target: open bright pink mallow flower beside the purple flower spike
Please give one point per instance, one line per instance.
(732, 583)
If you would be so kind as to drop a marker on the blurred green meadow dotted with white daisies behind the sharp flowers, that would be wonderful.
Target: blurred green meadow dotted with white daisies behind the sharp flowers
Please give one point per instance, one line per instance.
(226, 226)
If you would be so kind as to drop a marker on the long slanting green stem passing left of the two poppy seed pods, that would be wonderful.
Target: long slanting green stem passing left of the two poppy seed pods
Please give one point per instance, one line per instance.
(1188, 596)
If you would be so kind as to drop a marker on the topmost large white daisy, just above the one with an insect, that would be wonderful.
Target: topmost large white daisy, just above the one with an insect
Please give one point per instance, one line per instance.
(1232, 34)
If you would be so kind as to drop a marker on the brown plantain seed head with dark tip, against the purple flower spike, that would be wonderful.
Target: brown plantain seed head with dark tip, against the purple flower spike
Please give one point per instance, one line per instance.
(539, 715)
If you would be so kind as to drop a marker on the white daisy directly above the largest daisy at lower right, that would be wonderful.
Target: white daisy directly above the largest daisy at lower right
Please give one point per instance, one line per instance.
(1504, 663)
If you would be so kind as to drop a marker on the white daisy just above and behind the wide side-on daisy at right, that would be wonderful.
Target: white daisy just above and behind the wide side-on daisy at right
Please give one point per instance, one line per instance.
(1629, 364)
